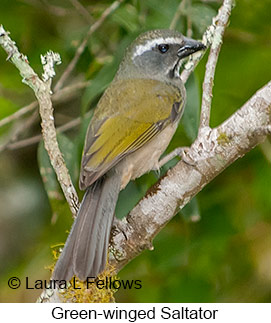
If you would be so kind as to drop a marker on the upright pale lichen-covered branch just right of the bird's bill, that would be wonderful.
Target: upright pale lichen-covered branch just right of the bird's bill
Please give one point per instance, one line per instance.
(219, 23)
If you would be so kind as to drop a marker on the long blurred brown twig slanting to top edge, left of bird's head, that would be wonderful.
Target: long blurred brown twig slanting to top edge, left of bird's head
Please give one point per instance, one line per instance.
(82, 46)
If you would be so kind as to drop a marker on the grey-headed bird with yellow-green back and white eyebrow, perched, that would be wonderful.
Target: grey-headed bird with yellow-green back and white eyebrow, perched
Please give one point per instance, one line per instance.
(132, 126)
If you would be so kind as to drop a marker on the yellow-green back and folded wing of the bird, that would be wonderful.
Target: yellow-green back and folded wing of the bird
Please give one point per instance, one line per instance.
(129, 114)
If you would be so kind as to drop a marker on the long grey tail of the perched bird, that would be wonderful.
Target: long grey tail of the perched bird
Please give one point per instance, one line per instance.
(85, 251)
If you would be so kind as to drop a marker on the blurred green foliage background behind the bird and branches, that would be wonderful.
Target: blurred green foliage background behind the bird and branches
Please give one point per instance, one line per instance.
(219, 248)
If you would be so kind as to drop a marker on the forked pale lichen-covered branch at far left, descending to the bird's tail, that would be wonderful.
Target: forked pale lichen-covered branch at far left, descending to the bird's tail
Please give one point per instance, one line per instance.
(42, 90)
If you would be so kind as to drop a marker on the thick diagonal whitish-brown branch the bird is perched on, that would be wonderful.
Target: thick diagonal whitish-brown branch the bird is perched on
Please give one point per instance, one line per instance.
(210, 154)
